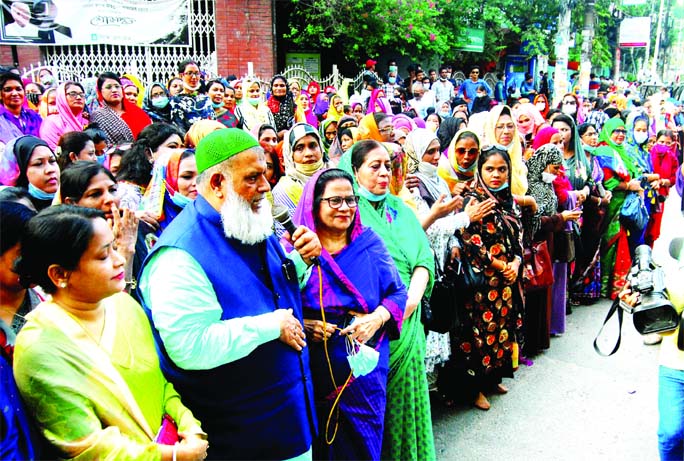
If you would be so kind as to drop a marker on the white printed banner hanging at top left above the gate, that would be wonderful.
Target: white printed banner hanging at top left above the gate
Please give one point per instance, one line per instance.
(85, 22)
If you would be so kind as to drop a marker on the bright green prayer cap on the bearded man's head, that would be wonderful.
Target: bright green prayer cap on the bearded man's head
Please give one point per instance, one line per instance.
(221, 145)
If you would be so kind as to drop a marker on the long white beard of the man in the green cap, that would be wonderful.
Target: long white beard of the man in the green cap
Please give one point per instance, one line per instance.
(242, 223)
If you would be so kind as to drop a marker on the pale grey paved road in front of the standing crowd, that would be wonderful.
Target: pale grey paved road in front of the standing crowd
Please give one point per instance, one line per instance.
(572, 404)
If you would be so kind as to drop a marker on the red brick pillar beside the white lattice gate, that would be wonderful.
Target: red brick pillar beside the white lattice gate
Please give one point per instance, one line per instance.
(244, 33)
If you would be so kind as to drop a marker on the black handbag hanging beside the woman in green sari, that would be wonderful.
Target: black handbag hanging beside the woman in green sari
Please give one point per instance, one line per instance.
(440, 311)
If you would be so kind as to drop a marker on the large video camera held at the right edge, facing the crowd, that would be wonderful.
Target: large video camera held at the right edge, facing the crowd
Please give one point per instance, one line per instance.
(653, 313)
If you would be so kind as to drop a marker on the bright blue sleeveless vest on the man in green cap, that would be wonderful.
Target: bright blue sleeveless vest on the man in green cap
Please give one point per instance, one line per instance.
(258, 407)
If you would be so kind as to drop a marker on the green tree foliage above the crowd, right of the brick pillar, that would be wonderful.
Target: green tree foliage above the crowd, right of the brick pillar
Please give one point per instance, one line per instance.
(432, 27)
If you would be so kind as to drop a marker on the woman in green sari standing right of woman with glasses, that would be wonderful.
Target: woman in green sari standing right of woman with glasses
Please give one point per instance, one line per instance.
(408, 425)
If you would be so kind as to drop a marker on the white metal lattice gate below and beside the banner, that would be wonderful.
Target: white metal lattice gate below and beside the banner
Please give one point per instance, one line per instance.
(149, 63)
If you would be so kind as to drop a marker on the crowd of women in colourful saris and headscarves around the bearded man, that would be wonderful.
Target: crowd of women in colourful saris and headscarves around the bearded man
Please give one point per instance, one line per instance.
(484, 199)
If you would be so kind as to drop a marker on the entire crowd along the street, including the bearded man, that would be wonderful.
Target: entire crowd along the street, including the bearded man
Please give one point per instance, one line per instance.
(412, 181)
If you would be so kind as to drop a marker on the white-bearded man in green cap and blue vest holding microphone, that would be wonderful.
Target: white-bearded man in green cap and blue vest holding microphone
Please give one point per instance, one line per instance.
(224, 302)
